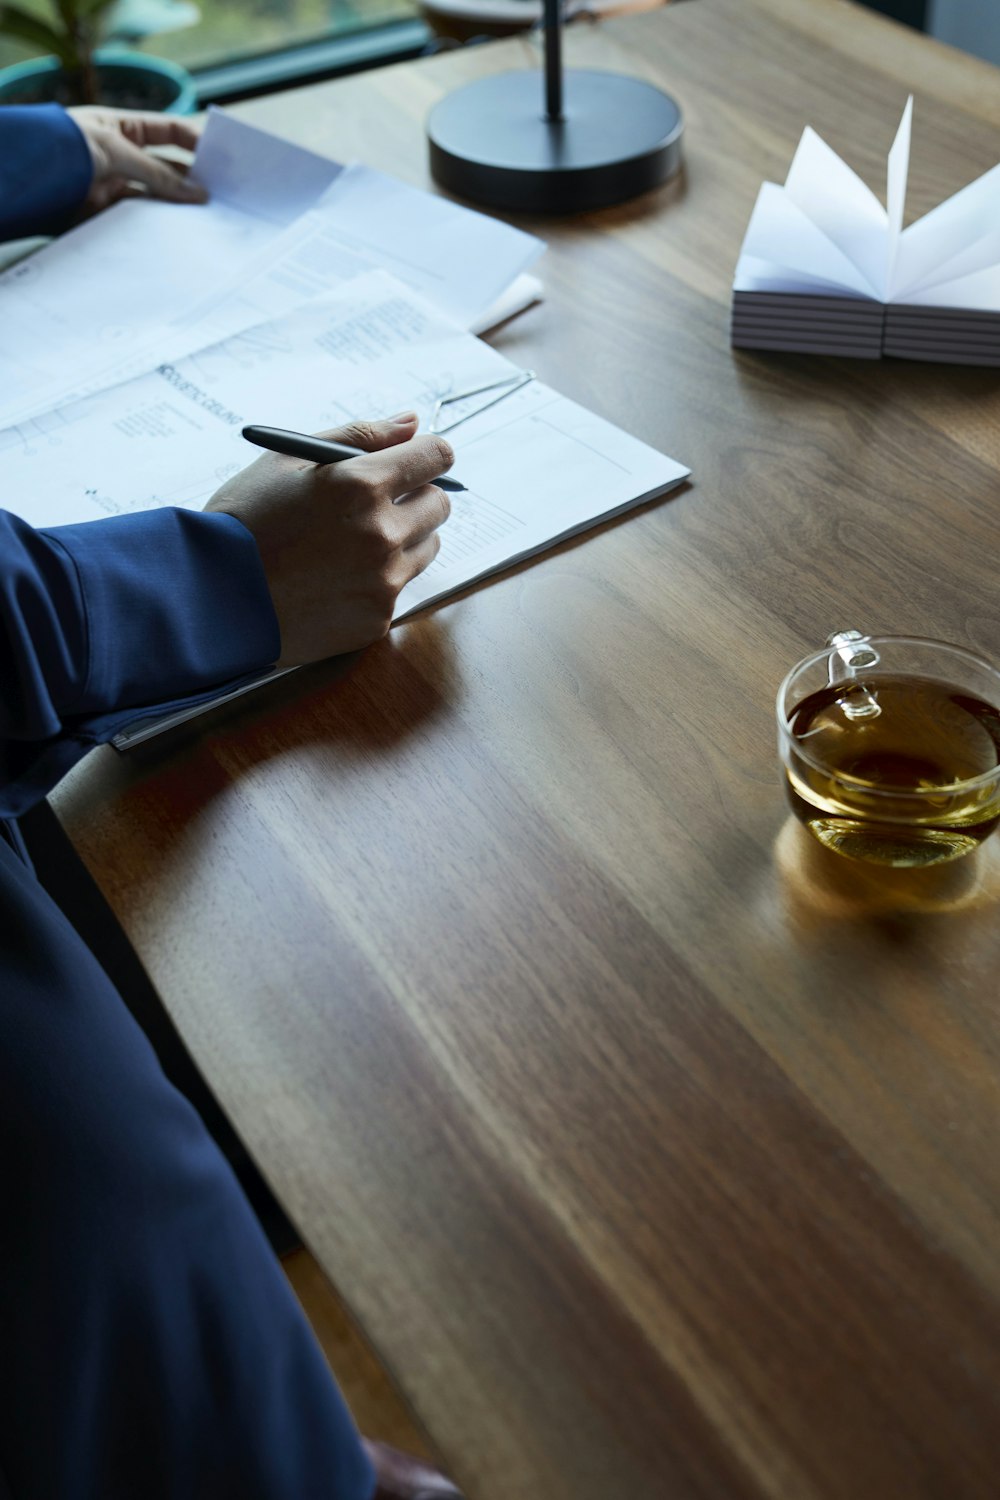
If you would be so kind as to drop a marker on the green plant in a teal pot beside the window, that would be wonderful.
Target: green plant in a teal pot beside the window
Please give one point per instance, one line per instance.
(77, 70)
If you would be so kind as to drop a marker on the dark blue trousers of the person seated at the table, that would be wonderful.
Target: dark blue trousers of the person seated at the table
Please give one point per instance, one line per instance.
(151, 1348)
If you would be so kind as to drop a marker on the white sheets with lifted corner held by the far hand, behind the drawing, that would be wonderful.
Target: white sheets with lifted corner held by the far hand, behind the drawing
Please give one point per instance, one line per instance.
(148, 281)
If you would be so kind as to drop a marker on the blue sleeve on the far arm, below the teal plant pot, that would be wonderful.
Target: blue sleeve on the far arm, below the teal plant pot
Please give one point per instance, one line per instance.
(46, 170)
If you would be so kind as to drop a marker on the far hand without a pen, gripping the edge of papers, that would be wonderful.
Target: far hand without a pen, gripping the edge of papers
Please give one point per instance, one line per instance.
(119, 143)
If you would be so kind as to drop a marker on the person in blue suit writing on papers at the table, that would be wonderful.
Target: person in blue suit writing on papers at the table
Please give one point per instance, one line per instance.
(152, 1345)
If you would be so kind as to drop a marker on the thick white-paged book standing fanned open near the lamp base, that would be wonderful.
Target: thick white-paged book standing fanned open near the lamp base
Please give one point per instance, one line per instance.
(827, 269)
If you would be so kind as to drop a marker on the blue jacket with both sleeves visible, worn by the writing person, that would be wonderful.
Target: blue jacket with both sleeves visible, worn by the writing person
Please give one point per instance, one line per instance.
(101, 620)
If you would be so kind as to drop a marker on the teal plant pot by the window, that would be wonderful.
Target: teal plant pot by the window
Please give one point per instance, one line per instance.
(125, 80)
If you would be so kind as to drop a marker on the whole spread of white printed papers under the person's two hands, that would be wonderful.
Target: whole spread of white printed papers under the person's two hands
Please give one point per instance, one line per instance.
(304, 296)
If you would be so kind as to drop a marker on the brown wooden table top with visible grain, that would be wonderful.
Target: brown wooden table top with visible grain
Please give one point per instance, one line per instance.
(656, 1150)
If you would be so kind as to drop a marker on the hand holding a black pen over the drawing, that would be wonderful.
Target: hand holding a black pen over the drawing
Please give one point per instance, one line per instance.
(340, 542)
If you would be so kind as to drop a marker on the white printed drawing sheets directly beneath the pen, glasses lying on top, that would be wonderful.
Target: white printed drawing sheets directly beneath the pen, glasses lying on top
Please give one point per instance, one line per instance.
(537, 466)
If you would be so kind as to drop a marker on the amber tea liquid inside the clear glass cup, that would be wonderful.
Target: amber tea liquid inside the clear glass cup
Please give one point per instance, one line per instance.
(905, 742)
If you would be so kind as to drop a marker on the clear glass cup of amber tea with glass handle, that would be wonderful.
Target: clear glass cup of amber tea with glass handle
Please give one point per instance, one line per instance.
(891, 748)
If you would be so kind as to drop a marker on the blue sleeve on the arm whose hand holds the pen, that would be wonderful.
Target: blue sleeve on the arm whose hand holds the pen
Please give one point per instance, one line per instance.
(101, 620)
